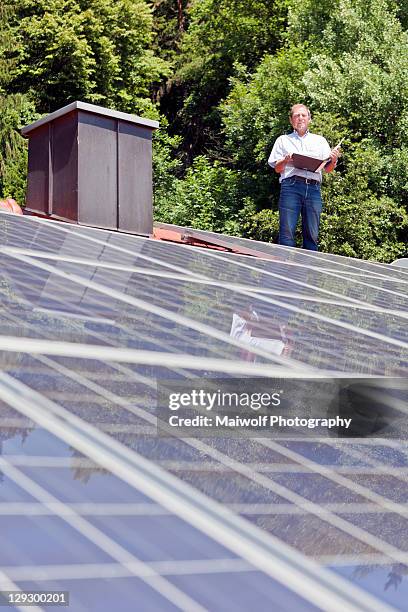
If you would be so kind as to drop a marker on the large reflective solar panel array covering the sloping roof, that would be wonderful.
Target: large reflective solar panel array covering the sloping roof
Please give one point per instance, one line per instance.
(94, 502)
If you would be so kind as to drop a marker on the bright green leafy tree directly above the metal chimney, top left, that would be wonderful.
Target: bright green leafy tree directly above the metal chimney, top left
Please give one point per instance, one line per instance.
(92, 50)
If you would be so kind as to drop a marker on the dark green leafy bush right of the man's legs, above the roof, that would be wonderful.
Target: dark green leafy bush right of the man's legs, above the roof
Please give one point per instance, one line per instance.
(360, 219)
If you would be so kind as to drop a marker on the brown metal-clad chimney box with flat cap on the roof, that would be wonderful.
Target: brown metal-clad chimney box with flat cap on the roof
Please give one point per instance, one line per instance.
(93, 166)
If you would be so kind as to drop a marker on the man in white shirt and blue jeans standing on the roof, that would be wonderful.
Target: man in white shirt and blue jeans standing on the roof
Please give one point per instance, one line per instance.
(300, 189)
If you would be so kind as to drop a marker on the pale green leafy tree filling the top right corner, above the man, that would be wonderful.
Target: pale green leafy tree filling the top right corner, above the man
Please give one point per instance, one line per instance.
(359, 67)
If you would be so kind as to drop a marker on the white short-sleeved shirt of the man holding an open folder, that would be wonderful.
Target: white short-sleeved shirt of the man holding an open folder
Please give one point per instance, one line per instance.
(309, 144)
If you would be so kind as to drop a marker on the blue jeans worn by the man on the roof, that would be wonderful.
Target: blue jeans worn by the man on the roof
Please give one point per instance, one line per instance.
(298, 198)
